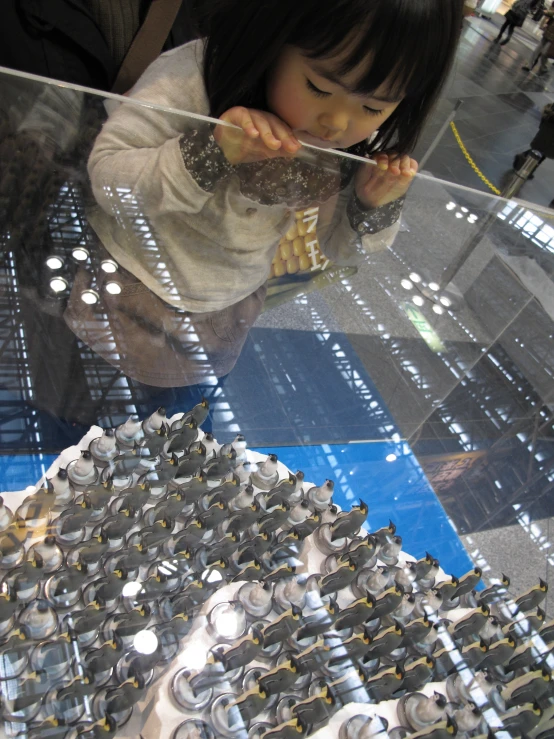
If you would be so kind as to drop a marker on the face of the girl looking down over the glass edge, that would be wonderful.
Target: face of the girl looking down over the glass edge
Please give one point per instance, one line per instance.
(320, 106)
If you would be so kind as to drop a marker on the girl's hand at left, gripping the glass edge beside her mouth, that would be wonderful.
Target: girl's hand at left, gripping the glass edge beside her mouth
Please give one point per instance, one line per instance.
(263, 136)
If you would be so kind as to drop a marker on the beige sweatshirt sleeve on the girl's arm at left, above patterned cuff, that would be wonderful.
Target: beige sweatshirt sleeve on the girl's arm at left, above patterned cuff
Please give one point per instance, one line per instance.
(138, 151)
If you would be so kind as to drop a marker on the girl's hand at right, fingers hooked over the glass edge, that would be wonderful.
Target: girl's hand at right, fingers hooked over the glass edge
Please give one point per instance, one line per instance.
(385, 181)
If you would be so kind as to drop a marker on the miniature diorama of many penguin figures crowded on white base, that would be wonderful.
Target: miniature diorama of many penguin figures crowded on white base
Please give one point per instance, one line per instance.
(161, 584)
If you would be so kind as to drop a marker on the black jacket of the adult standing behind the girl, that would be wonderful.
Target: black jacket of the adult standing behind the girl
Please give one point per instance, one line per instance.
(59, 39)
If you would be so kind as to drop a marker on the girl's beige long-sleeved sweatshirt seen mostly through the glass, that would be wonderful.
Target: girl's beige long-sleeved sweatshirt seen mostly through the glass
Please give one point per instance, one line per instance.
(203, 249)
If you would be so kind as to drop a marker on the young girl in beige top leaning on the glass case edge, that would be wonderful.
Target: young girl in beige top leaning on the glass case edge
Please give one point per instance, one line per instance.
(193, 213)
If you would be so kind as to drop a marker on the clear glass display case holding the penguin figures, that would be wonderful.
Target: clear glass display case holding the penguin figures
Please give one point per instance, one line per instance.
(318, 504)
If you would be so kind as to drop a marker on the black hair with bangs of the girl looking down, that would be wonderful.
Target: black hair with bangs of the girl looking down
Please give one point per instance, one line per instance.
(411, 45)
